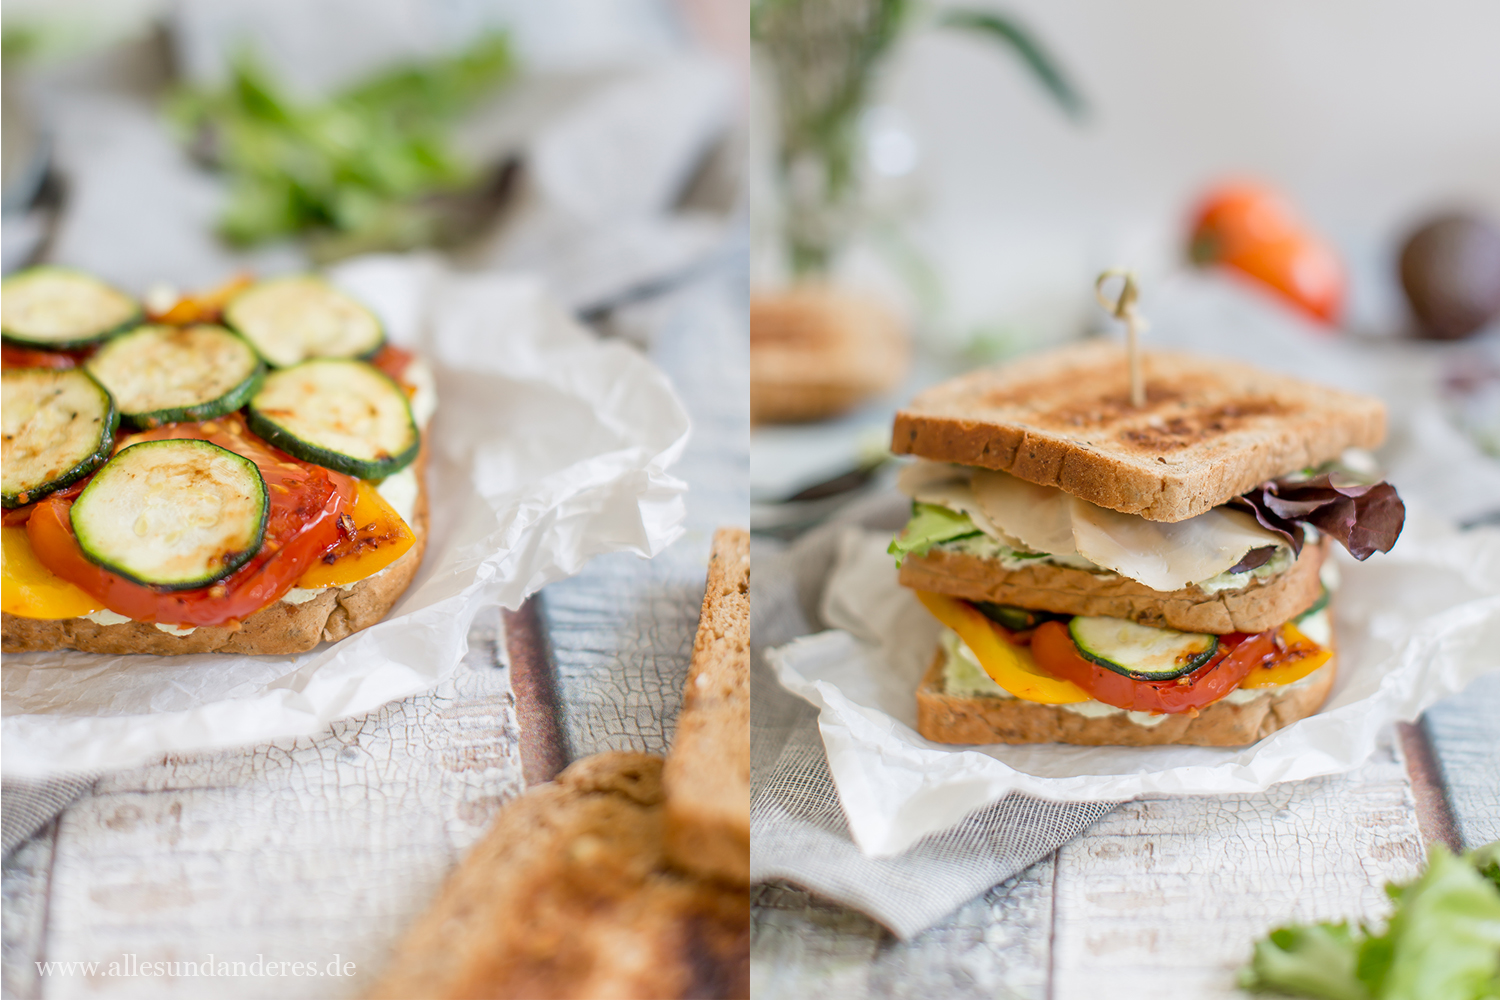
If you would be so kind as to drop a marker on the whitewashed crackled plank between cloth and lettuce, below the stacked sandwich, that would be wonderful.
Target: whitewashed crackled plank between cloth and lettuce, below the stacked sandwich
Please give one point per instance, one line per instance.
(1177, 891)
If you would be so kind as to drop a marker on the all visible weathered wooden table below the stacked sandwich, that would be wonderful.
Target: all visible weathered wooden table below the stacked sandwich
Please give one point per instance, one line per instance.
(1165, 896)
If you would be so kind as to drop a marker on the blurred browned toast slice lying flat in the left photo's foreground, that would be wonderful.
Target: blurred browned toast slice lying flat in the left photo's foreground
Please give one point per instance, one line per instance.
(569, 894)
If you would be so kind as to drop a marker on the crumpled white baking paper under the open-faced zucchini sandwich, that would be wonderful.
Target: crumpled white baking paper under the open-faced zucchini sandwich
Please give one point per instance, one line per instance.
(548, 448)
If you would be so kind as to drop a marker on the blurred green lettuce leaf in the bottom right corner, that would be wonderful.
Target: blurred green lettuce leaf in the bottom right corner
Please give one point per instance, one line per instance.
(1442, 942)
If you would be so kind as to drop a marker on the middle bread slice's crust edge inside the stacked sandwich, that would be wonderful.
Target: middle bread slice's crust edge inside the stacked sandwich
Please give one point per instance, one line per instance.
(1051, 588)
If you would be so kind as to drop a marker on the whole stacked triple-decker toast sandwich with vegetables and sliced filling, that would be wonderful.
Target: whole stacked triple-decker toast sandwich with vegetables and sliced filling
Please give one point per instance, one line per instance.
(1121, 575)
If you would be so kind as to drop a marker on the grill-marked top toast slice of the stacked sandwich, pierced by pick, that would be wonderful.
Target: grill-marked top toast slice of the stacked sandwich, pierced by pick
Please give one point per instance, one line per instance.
(1211, 430)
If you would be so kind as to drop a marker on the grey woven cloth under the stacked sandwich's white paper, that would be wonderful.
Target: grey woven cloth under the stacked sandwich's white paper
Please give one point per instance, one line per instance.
(799, 830)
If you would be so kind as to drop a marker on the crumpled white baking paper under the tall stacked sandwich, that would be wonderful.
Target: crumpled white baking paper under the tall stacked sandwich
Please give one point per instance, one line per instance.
(1414, 626)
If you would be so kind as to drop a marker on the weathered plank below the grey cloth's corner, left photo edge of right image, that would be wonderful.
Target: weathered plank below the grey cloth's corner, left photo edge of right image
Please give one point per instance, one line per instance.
(994, 947)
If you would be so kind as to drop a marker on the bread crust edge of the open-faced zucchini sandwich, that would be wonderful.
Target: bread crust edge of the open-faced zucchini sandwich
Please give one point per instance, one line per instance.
(280, 629)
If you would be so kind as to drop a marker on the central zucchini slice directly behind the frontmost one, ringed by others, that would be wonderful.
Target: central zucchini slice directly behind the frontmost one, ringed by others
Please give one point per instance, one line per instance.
(161, 376)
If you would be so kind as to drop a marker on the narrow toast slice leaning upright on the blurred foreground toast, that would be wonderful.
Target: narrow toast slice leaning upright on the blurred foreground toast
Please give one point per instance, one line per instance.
(707, 774)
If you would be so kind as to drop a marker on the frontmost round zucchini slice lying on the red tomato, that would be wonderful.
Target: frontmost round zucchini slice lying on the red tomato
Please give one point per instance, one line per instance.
(176, 515)
